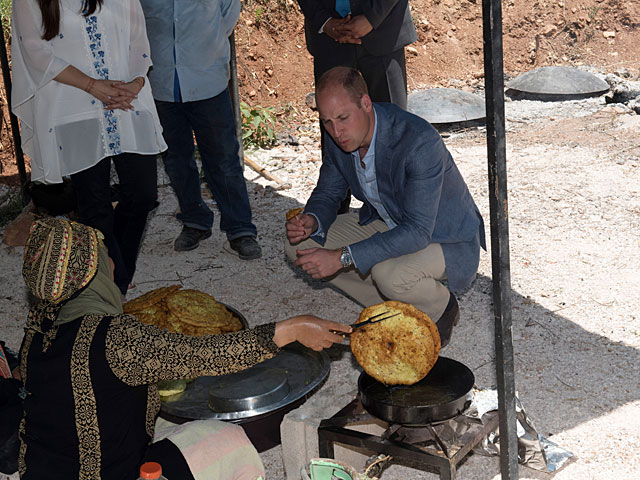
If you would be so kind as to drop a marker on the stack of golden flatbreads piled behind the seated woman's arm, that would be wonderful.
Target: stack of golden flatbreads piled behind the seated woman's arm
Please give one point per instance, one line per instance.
(190, 312)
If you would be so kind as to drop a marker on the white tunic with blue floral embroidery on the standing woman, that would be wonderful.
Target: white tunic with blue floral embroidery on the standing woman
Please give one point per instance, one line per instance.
(64, 129)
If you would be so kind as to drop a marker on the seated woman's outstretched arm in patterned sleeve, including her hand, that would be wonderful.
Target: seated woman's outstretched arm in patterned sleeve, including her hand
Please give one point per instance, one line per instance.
(139, 354)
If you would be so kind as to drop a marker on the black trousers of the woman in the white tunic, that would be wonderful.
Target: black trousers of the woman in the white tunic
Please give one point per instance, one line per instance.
(123, 226)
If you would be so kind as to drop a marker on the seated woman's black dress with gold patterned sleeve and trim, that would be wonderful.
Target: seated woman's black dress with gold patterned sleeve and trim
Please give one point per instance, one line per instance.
(92, 396)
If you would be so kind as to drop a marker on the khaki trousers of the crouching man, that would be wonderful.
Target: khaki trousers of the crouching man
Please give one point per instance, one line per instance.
(414, 278)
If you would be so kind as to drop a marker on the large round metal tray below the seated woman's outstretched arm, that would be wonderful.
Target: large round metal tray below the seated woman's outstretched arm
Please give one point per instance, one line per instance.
(302, 368)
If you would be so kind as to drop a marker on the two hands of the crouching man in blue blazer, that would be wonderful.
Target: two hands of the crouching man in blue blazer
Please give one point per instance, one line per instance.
(317, 262)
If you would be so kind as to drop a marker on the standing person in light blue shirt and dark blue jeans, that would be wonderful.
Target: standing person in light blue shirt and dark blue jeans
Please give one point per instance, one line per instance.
(189, 79)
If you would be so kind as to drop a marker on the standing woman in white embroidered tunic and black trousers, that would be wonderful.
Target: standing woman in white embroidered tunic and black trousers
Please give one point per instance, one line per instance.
(81, 94)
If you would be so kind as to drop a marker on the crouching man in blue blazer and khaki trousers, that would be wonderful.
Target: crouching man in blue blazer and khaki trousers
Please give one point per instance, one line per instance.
(419, 225)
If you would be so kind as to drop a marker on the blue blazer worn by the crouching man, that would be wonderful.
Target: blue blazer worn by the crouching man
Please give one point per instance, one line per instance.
(419, 186)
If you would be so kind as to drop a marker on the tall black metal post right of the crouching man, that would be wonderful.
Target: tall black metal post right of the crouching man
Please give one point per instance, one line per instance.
(494, 92)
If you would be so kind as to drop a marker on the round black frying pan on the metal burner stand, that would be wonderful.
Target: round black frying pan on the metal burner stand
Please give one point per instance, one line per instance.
(443, 394)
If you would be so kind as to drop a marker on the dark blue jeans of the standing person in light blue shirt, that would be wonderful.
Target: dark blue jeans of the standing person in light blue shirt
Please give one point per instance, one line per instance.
(212, 121)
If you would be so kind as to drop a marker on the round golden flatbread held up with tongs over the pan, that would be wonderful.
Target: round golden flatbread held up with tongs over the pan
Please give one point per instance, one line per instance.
(397, 351)
